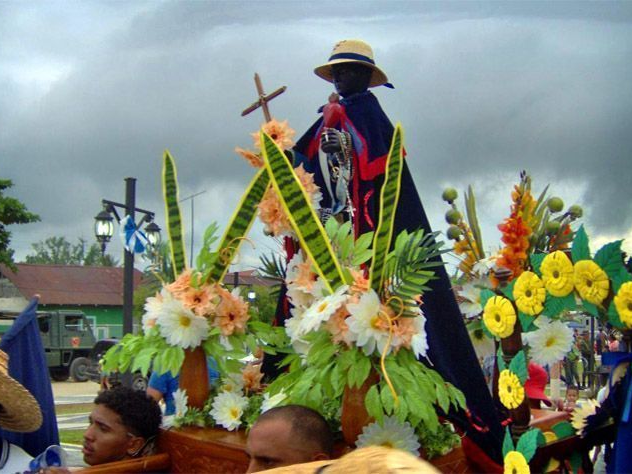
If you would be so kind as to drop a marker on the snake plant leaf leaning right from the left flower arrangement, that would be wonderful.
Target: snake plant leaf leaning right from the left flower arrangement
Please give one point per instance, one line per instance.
(238, 226)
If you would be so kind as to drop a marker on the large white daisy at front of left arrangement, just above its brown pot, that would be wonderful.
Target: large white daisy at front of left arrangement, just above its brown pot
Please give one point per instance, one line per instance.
(180, 326)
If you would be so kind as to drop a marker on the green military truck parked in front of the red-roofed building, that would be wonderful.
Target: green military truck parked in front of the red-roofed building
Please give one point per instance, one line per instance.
(67, 338)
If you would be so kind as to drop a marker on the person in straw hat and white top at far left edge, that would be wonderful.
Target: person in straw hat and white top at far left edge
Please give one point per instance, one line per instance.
(19, 412)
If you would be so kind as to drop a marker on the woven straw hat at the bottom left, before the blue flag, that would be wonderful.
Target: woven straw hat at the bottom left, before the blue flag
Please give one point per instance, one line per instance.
(19, 411)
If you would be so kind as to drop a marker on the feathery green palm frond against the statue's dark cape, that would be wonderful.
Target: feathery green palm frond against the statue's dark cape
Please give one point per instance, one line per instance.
(409, 267)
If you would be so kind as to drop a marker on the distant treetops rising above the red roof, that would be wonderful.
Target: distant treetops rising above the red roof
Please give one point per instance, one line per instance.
(59, 251)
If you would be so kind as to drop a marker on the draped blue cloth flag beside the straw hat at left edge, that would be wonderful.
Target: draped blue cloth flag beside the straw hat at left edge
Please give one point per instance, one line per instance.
(27, 365)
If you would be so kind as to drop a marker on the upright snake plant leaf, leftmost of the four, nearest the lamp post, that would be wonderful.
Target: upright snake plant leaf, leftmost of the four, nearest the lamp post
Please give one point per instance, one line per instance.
(173, 214)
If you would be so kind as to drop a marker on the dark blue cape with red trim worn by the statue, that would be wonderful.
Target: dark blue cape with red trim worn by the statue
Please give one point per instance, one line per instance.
(451, 351)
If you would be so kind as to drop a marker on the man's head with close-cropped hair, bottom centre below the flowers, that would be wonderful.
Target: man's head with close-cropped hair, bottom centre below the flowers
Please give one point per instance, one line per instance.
(288, 435)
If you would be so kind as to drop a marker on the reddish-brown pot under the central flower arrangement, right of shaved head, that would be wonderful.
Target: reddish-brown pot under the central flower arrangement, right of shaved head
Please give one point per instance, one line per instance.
(354, 417)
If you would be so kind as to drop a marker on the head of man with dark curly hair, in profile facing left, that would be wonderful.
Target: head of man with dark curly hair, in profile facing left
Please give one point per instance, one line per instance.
(122, 422)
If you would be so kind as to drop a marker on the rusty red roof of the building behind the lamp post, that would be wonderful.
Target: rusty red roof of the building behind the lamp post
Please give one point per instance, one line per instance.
(70, 284)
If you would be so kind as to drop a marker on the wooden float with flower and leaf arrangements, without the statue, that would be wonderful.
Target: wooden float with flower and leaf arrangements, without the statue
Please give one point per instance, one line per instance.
(354, 345)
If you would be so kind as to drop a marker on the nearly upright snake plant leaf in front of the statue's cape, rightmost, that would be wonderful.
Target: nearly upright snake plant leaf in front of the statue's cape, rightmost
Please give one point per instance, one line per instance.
(389, 196)
